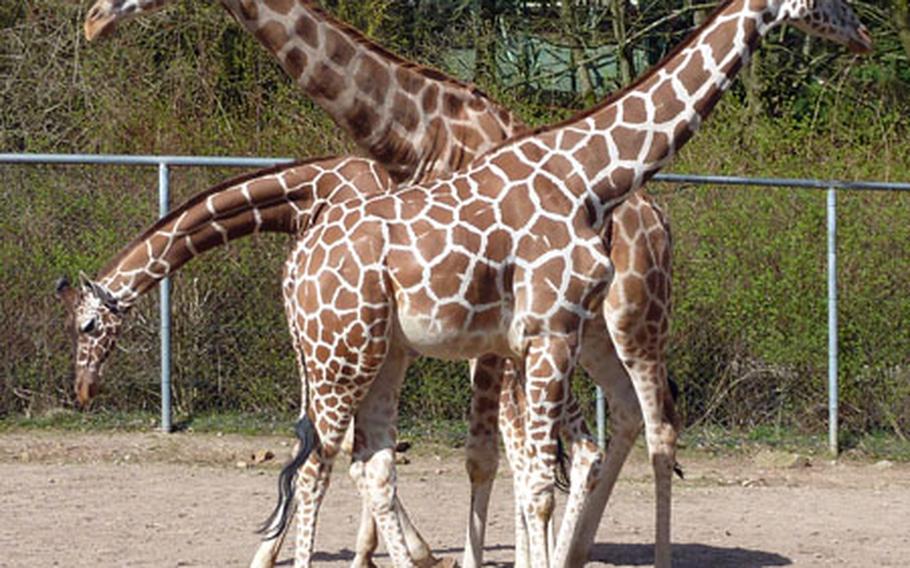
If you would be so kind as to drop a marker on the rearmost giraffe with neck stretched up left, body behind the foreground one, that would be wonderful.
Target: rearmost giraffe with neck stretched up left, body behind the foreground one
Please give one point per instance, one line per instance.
(423, 124)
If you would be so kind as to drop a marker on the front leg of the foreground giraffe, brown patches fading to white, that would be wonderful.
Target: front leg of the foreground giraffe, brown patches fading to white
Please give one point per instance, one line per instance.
(548, 366)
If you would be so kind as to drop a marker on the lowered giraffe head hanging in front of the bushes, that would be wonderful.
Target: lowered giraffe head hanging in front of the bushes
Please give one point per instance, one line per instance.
(94, 319)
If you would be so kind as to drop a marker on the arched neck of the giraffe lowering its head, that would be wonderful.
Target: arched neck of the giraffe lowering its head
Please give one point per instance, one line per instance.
(277, 200)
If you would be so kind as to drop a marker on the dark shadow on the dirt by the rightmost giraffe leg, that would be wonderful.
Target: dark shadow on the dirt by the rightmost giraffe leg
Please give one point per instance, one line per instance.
(687, 555)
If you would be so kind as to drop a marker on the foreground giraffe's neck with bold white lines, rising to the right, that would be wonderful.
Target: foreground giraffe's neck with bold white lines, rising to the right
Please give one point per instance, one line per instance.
(618, 146)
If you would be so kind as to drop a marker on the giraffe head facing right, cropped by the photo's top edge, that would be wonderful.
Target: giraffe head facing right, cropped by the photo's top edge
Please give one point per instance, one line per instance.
(833, 20)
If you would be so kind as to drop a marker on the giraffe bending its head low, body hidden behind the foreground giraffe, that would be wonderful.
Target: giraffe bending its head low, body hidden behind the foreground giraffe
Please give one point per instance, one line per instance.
(282, 199)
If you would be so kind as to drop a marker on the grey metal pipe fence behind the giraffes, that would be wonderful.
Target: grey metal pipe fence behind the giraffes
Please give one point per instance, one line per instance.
(164, 165)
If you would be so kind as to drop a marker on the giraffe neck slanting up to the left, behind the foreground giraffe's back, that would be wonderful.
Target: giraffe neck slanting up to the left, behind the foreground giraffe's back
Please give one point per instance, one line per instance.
(416, 122)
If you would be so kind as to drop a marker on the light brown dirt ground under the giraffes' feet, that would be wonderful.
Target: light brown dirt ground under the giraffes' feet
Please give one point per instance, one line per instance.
(183, 500)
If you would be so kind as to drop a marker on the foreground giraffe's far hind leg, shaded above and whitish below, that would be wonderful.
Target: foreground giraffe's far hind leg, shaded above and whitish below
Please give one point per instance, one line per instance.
(373, 465)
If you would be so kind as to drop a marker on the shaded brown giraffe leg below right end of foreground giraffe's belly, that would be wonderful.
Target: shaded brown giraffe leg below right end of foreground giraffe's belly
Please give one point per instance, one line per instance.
(482, 452)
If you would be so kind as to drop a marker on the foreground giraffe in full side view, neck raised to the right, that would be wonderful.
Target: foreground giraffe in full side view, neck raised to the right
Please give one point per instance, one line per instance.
(523, 224)
